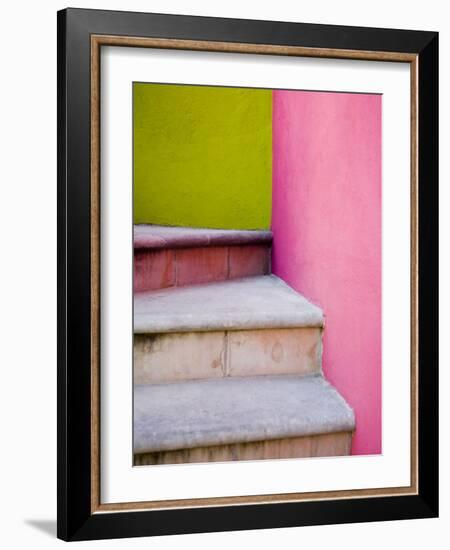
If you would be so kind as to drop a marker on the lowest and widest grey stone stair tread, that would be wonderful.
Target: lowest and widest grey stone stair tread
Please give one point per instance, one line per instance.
(211, 412)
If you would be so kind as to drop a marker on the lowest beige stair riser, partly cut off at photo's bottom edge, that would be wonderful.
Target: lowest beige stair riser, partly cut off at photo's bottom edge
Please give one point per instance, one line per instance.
(333, 444)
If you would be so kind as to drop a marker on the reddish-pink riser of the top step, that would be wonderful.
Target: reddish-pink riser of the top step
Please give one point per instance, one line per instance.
(155, 269)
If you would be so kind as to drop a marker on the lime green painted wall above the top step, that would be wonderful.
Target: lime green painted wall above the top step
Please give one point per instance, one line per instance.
(202, 156)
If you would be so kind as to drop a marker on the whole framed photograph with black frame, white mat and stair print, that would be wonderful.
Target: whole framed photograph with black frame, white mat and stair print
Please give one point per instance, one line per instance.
(247, 274)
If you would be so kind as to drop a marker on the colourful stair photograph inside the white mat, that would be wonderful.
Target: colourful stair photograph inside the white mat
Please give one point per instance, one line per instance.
(257, 273)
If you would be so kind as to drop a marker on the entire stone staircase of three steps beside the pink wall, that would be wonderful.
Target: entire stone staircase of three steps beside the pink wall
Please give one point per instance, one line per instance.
(227, 357)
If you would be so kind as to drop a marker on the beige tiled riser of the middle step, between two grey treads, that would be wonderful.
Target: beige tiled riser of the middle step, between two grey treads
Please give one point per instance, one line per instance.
(195, 355)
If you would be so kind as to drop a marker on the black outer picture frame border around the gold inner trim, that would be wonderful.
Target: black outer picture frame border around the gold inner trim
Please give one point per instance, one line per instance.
(76, 520)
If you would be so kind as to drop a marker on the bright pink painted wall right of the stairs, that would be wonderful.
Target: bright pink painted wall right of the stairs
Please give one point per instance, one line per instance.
(326, 222)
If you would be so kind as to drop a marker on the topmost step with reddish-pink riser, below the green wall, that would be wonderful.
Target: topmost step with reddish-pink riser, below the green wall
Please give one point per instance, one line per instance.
(180, 256)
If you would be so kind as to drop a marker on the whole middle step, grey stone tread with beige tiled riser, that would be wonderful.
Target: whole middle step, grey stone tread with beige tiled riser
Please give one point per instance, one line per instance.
(247, 327)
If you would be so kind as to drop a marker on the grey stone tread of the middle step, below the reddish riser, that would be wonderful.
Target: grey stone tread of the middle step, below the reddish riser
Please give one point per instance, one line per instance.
(239, 304)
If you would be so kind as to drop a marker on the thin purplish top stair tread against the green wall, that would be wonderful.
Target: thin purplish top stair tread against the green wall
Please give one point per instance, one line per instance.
(160, 236)
